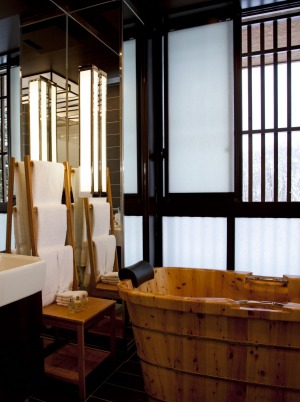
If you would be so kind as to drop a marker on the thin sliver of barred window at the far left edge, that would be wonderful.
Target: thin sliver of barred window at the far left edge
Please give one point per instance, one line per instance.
(3, 135)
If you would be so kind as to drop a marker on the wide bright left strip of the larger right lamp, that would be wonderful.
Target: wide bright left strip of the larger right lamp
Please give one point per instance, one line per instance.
(85, 128)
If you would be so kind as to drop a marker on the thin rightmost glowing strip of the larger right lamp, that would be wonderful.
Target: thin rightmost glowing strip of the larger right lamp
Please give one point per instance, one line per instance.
(103, 110)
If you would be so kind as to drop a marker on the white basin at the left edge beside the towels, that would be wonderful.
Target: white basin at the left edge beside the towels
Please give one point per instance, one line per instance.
(20, 276)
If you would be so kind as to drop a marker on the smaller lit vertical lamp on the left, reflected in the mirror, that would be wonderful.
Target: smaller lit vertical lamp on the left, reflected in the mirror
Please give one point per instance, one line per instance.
(42, 119)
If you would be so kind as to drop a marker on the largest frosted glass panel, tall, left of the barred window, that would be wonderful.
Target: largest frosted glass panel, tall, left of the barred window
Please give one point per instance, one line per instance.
(201, 109)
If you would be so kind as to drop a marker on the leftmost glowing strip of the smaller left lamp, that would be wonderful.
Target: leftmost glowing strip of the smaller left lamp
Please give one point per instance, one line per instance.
(34, 121)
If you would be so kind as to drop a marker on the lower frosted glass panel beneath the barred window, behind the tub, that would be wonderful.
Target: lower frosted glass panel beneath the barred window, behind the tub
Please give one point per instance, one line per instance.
(267, 246)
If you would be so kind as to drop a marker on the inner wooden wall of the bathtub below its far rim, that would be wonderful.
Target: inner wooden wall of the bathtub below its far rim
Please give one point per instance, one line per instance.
(218, 283)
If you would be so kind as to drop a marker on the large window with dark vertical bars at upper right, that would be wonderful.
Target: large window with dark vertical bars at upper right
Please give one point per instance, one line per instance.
(271, 101)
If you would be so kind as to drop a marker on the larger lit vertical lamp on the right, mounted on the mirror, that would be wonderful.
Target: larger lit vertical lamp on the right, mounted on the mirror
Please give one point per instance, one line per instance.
(92, 128)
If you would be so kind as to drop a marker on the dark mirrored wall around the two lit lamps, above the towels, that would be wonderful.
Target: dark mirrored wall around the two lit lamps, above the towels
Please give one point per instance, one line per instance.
(55, 44)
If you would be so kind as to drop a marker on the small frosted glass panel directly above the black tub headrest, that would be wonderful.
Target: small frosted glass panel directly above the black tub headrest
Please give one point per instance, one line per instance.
(133, 239)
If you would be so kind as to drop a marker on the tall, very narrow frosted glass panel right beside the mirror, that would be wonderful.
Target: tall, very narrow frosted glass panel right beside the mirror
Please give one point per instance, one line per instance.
(129, 118)
